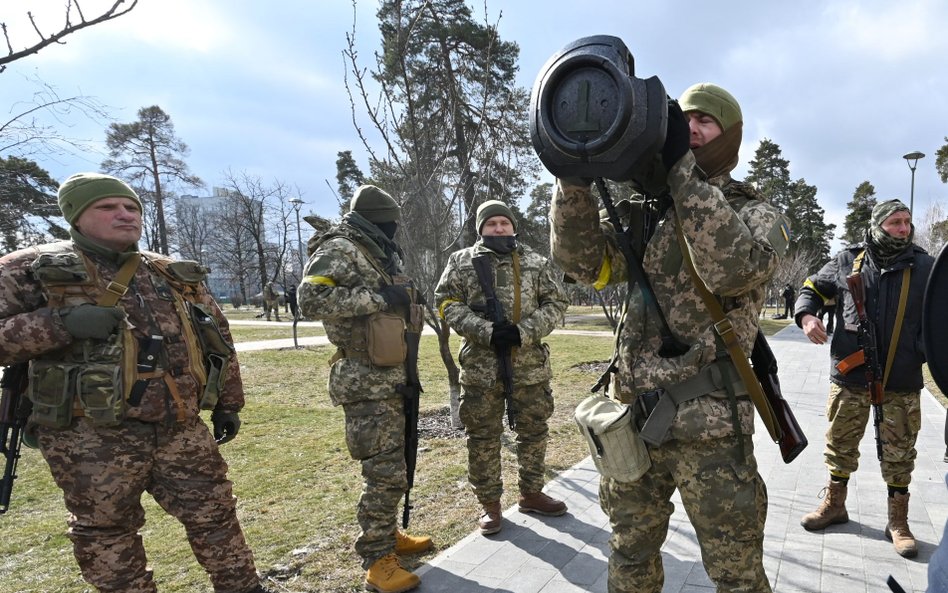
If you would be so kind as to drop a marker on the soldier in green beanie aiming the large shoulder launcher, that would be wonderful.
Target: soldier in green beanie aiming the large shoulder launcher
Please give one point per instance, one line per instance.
(737, 256)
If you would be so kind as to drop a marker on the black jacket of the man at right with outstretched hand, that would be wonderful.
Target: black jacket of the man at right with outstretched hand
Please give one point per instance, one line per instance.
(883, 288)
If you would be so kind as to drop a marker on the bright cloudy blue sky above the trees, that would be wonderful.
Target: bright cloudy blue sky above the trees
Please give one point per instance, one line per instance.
(844, 87)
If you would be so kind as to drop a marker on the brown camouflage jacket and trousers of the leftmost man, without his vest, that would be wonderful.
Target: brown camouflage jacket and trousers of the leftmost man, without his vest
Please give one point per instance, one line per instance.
(162, 446)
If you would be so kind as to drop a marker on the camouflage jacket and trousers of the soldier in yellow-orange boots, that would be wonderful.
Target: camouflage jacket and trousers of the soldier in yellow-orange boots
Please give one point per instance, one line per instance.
(340, 288)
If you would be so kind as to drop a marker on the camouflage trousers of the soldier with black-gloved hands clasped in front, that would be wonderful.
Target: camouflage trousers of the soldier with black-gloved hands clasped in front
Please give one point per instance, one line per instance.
(482, 413)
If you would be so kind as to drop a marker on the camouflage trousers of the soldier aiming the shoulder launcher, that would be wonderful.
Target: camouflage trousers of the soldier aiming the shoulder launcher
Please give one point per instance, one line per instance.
(725, 500)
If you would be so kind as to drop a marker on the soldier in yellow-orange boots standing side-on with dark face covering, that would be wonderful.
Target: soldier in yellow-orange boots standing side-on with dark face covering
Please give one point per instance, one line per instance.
(353, 275)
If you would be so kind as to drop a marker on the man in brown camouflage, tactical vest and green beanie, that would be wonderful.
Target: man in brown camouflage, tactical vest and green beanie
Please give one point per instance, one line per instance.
(110, 435)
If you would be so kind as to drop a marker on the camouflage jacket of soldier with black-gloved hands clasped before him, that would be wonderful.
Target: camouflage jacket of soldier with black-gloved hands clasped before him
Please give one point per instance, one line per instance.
(542, 305)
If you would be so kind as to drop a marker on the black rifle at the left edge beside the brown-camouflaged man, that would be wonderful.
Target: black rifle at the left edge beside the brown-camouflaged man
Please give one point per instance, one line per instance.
(12, 424)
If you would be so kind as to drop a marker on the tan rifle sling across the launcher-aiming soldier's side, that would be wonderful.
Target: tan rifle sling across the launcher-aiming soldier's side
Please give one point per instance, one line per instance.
(724, 330)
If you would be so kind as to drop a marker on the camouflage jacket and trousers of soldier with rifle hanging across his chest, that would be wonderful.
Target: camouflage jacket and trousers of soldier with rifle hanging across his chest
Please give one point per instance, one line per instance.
(542, 303)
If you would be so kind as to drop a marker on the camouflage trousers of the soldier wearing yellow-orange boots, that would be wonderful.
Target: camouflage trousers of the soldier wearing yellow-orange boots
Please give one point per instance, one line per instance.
(375, 436)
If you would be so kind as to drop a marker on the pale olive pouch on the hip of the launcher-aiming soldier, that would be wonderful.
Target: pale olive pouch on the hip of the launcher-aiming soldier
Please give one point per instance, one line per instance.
(615, 445)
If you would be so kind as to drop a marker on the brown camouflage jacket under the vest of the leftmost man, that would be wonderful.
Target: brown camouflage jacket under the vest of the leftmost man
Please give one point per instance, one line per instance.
(30, 329)
